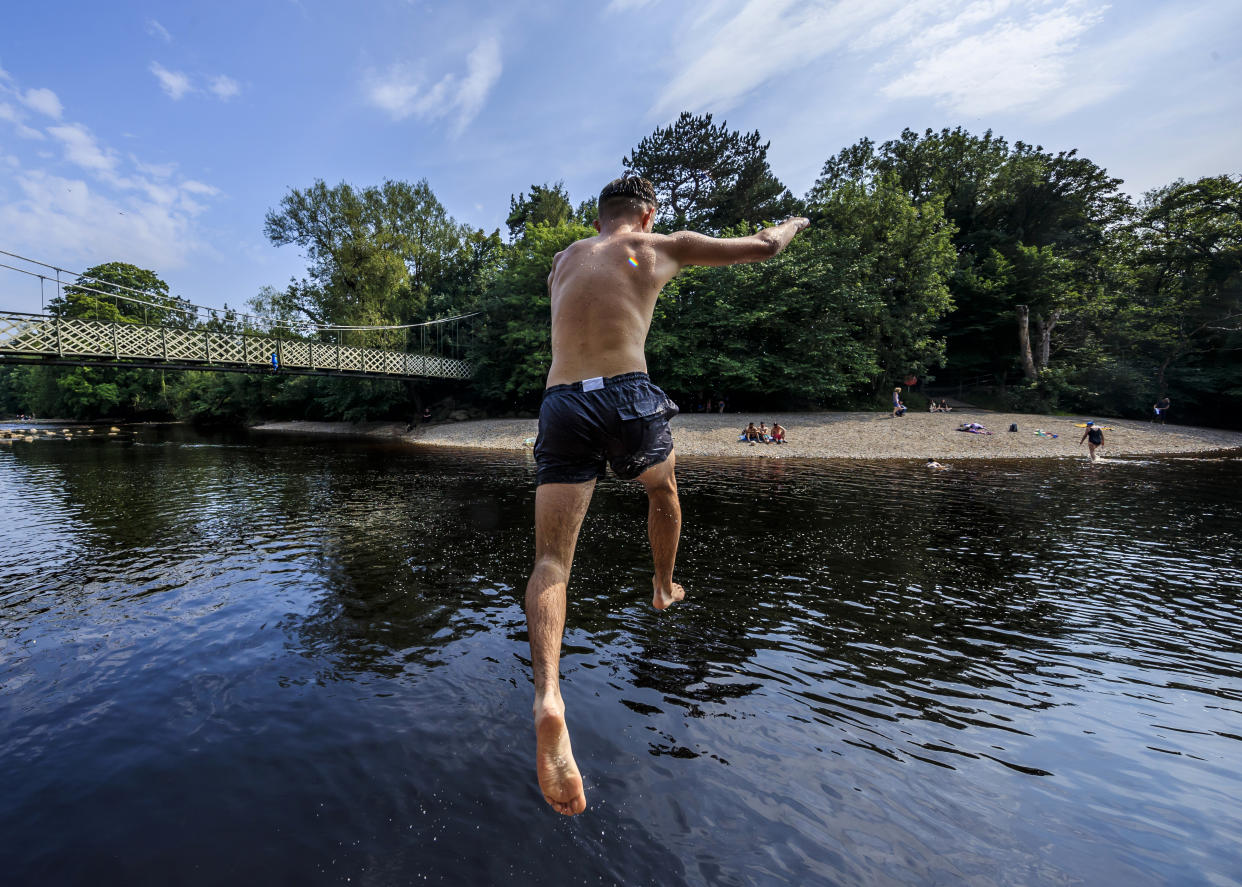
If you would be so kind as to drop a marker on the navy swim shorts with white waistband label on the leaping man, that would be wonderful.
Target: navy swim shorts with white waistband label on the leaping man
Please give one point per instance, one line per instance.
(620, 422)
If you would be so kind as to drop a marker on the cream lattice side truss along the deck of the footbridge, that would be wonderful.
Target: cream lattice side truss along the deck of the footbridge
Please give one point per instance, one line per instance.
(40, 339)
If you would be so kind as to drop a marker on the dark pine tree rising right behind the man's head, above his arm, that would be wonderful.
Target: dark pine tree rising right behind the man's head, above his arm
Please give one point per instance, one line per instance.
(710, 178)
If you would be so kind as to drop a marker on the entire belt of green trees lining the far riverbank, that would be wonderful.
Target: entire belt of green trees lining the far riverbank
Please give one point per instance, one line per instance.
(941, 254)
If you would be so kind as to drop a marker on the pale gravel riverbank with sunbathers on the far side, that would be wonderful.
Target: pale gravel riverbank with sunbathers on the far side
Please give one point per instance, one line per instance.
(839, 435)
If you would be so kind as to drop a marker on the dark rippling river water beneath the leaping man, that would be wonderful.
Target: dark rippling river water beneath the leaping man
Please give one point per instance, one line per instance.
(271, 660)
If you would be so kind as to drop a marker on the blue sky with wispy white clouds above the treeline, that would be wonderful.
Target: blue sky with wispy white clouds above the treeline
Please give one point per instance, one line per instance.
(161, 134)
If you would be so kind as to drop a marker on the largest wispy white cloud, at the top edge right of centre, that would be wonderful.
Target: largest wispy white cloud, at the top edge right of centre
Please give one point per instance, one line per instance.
(971, 57)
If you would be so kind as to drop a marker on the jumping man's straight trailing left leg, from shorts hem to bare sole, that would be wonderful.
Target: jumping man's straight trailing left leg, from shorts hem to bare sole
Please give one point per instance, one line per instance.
(560, 511)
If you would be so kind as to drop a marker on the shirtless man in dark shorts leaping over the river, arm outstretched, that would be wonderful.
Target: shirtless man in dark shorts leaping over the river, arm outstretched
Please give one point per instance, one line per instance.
(602, 408)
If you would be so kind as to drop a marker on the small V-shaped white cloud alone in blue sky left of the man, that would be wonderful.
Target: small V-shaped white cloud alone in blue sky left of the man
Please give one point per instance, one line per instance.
(402, 94)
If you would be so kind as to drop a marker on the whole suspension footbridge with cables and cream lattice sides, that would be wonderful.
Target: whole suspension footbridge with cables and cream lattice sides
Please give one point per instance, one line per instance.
(197, 340)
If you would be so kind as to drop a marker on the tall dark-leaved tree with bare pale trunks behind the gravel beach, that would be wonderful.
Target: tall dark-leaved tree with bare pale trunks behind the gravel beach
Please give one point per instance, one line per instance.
(1031, 235)
